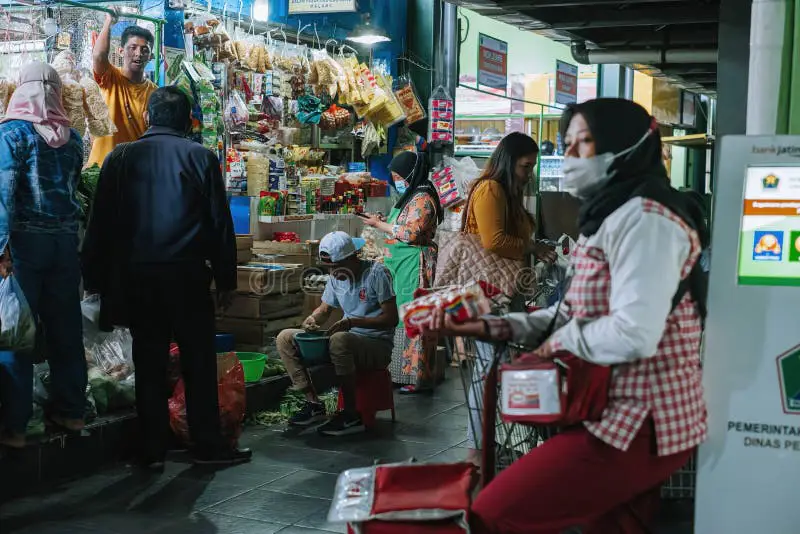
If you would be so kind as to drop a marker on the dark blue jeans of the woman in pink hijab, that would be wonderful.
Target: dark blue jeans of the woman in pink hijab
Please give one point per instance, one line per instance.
(47, 268)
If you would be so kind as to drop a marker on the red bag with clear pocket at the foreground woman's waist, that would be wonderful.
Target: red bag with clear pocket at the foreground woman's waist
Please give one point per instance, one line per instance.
(562, 392)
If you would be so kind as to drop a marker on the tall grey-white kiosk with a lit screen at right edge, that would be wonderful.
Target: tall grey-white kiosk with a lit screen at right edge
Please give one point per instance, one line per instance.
(748, 468)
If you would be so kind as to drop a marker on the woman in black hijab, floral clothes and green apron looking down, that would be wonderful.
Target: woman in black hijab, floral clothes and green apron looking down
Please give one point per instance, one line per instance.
(410, 255)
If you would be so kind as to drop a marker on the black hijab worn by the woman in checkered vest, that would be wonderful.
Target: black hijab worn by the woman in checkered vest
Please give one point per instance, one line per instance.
(617, 125)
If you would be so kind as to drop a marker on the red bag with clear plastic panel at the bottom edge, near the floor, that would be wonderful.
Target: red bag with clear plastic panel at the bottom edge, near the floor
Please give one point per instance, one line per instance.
(405, 499)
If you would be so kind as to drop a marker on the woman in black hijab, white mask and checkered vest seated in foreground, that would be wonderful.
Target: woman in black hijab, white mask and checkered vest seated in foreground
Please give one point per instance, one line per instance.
(635, 303)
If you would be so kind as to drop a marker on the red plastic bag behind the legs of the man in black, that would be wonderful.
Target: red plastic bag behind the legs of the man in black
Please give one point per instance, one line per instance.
(231, 391)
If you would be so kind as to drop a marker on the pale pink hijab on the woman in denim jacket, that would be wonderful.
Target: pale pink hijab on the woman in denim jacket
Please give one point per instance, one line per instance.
(37, 100)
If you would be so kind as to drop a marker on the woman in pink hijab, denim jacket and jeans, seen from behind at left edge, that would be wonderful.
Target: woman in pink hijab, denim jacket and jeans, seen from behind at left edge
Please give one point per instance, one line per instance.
(40, 168)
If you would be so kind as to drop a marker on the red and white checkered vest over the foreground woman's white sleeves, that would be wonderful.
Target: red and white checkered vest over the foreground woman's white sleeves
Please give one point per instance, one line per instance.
(667, 386)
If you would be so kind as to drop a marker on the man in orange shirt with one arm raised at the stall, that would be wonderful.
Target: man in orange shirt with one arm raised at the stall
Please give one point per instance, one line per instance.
(125, 90)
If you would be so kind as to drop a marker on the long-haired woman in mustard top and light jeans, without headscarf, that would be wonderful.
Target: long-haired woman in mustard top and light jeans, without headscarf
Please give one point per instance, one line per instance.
(497, 214)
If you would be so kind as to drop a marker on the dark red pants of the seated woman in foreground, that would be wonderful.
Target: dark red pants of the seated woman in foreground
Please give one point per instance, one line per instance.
(576, 480)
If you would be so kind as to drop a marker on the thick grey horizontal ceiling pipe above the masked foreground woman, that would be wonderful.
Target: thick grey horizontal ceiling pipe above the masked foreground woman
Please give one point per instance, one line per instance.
(583, 55)
